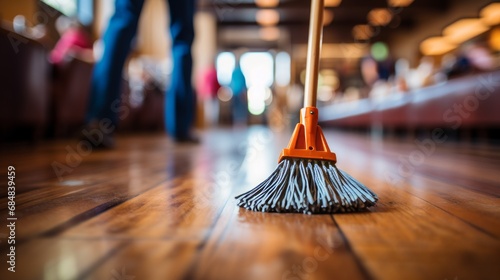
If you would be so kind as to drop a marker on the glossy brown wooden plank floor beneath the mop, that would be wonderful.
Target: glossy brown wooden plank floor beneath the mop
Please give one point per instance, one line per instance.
(151, 209)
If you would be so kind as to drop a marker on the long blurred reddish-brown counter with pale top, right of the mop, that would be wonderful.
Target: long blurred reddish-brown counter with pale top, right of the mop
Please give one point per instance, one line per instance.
(465, 102)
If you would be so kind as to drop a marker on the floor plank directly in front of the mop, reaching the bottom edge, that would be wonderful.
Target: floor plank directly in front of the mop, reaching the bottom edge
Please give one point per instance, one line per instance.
(252, 245)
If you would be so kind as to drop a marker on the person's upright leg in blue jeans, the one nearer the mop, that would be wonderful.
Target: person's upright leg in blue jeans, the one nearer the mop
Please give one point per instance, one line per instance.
(180, 99)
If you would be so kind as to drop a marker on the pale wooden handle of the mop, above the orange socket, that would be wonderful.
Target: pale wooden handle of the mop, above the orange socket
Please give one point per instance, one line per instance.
(314, 52)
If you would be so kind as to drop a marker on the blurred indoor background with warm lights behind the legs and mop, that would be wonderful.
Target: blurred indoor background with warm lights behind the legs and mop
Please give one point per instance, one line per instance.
(392, 67)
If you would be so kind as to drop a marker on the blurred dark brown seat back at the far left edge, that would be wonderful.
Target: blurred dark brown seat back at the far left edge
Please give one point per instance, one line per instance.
(25, 87)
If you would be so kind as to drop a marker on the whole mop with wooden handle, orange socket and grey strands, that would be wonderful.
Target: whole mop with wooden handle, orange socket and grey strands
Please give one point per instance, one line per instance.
(306, 179)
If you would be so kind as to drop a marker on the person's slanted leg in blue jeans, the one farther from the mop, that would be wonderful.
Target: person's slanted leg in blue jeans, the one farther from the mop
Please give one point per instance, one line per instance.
(107, 74)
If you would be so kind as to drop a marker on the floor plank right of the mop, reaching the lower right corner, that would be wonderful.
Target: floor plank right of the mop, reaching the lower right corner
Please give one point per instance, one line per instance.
(404, 224)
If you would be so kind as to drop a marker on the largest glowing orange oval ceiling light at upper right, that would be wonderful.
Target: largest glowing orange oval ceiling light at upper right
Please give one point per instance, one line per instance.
(464, 29)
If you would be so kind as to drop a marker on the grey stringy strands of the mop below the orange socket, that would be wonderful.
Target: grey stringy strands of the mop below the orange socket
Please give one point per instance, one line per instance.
(308, 186)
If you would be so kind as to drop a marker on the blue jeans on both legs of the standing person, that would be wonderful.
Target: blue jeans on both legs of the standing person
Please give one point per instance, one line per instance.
(106, 78)
